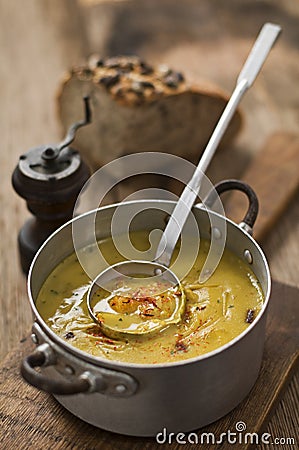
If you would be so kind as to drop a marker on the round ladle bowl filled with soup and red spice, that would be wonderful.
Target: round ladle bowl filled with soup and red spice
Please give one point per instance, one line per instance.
(132, 304)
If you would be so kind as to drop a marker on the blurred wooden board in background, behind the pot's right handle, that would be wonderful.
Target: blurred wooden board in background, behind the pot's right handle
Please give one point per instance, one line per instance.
(274, 175)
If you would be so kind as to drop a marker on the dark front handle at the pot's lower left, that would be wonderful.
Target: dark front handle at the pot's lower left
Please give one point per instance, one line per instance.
(41, 357)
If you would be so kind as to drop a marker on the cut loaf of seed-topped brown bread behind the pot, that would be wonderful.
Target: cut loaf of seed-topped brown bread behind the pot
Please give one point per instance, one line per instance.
(138, 108)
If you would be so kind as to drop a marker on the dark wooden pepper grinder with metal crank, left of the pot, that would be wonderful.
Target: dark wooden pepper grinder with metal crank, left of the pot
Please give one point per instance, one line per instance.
(49, 178)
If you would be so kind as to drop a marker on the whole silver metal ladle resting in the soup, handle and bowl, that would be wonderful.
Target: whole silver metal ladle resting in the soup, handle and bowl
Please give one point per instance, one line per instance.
(158, 271)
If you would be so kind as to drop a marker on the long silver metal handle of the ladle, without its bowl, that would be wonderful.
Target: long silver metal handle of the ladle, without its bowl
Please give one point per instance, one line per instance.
(250, 70)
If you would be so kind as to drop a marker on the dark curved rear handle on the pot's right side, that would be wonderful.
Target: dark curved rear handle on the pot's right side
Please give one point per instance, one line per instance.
(228, 185)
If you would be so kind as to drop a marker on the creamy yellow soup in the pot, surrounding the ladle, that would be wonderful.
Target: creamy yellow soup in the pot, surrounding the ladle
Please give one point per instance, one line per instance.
(215, 312)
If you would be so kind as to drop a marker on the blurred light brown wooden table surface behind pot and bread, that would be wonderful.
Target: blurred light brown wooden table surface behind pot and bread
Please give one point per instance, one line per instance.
(40, 39)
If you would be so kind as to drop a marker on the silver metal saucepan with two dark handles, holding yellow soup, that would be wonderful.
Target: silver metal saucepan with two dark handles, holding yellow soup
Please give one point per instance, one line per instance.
(137, 399)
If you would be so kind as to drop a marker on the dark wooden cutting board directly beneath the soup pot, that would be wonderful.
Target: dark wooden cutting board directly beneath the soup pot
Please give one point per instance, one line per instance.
(33, 419)
